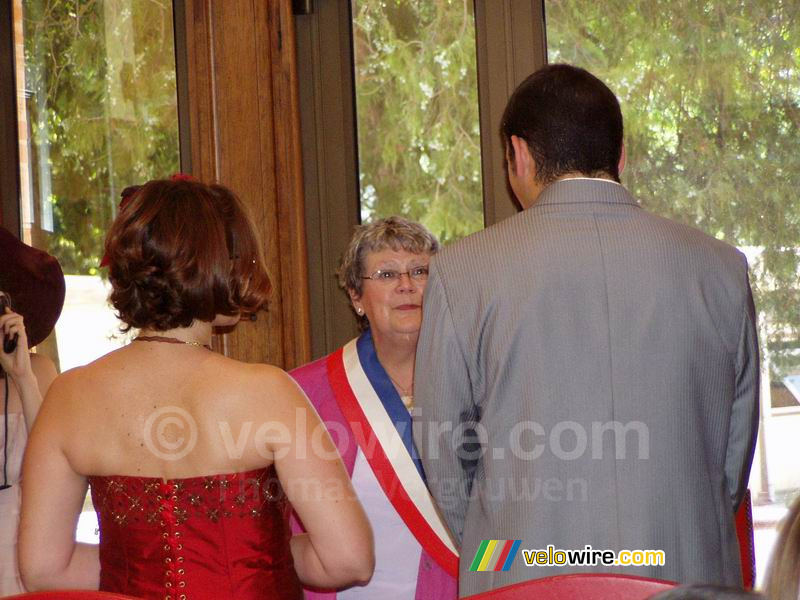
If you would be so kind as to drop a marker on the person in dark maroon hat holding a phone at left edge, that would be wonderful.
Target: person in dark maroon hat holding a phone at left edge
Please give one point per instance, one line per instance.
(32, 293)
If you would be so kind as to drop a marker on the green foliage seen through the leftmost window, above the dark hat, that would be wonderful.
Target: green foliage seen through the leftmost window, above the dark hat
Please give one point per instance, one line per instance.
(102, 112)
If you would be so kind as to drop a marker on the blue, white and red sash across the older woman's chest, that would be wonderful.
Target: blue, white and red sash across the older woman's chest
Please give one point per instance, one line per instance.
(356, 381)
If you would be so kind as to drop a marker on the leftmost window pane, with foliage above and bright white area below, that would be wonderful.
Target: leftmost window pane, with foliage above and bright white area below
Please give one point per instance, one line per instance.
(97, 106)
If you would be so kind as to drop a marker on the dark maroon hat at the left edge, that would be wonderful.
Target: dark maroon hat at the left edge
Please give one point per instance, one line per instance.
(34, 283)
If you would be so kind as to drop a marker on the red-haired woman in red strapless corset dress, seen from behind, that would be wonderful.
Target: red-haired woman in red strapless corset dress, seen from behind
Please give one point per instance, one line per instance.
(191, 501)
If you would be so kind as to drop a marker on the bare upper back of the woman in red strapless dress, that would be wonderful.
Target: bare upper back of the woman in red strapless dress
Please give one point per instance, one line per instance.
(169, 411)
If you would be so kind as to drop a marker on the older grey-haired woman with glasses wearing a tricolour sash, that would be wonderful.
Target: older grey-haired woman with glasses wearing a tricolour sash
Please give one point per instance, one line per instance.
(364, 392)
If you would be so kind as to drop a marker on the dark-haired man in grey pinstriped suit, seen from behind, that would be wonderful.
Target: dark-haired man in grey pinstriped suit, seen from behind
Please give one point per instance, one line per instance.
(587, 373)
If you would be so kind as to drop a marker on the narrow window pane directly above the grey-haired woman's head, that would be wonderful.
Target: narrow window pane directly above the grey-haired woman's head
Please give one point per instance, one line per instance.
(417, 111)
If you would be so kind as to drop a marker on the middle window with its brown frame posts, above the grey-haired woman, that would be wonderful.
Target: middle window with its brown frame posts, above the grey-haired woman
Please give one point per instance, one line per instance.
(400, 102)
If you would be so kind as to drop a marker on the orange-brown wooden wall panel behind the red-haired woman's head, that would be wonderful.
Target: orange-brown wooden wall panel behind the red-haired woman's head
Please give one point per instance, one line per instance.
(245, 134)
